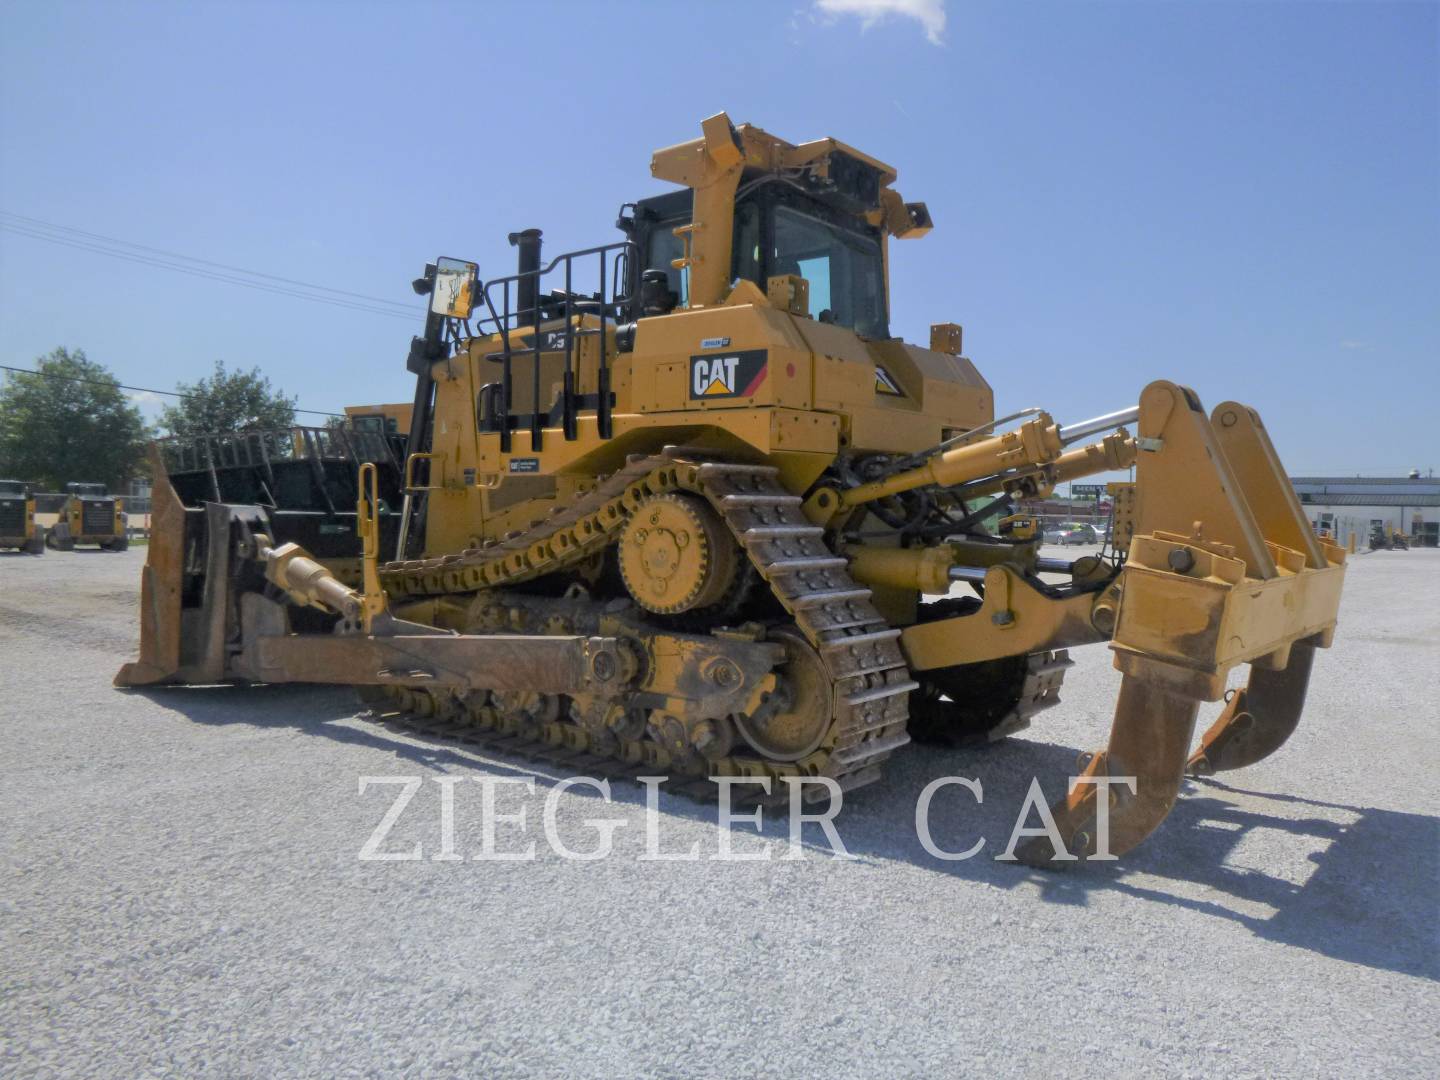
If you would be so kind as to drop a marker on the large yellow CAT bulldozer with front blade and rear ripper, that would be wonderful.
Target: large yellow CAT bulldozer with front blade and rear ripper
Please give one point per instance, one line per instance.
(675, 505)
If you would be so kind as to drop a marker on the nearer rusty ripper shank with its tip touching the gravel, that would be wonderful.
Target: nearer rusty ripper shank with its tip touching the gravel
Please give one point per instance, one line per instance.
(1148, 745)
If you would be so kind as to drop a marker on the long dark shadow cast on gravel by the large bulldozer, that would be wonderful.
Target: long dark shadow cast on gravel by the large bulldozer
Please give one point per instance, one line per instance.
(1347, 908)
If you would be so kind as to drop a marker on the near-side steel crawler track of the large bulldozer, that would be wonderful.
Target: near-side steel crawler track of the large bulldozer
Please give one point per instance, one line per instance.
(869, 680)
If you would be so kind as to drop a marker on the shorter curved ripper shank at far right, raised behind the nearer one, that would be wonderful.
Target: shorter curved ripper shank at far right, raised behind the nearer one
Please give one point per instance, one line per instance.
(1259, 718)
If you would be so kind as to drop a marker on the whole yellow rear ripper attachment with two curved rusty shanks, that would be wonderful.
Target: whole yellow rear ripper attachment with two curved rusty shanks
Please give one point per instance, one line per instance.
(1210, 584)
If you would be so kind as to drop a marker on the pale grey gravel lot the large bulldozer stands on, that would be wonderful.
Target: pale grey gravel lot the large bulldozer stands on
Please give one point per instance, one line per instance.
(182, 891)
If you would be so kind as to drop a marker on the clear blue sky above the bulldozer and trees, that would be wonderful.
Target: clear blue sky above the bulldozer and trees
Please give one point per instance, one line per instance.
(1241, 197)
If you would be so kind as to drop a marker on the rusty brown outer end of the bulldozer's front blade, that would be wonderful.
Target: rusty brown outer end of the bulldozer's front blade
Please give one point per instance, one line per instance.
(161, 587)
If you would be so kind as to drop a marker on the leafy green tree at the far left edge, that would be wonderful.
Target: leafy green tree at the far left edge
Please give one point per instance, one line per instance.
(70, 421)
